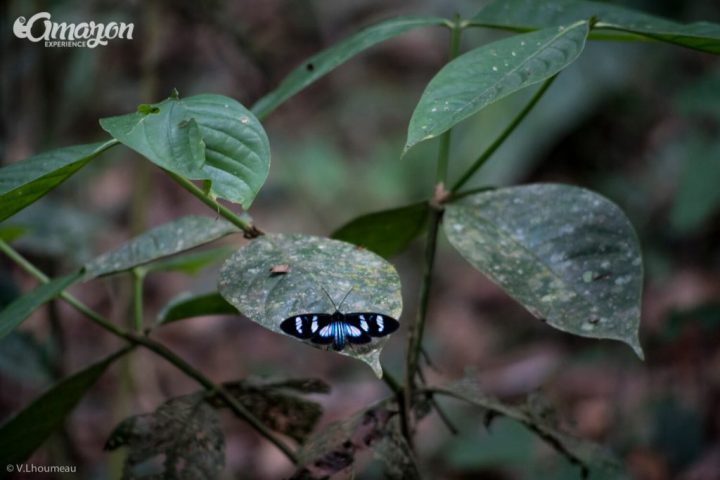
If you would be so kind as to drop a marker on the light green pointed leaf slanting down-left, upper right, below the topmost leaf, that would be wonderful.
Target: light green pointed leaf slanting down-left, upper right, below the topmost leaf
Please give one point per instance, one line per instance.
(486, 74)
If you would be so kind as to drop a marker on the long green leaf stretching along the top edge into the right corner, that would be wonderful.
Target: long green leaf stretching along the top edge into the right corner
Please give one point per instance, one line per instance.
(531, 14)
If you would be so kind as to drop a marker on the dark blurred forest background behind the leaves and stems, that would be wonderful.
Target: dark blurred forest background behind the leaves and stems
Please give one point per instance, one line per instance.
(639, 123)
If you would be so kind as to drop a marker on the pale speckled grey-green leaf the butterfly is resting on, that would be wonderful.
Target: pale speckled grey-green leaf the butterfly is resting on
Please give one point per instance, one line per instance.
(314, 264)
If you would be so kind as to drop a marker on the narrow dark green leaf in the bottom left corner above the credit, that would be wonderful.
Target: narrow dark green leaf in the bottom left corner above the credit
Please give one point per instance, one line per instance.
(22, 434)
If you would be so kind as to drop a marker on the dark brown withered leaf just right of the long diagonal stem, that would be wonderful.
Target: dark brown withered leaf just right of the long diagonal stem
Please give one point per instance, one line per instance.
(278, 405)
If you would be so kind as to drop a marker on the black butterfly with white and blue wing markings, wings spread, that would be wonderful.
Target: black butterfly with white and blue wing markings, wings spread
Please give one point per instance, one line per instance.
(339, 329)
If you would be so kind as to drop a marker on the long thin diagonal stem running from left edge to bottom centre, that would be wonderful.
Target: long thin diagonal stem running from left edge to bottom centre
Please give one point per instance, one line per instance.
(135, 339)
